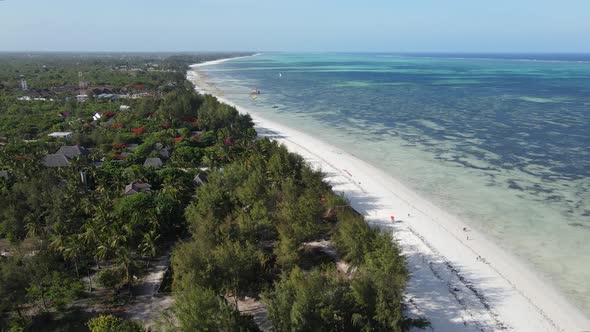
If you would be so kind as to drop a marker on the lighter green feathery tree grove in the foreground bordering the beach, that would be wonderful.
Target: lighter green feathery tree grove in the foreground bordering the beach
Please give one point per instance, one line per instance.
(252, 227)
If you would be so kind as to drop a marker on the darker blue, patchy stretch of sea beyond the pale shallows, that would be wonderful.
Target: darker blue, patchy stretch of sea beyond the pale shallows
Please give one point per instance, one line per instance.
(524, 117)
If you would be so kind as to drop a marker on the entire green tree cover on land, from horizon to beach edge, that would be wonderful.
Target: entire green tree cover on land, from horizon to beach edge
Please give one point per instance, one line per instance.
(259, 222)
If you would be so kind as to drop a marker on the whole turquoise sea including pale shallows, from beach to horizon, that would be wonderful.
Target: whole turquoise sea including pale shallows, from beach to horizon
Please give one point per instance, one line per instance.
(501, 141)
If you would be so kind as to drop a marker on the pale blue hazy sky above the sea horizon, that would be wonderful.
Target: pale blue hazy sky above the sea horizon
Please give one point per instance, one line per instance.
(296, 26)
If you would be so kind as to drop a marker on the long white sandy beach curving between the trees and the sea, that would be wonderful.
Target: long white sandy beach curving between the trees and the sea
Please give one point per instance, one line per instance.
(449, 284)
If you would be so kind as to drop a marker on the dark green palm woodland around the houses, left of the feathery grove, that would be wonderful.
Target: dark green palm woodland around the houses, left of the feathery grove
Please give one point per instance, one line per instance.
(62, 238)
